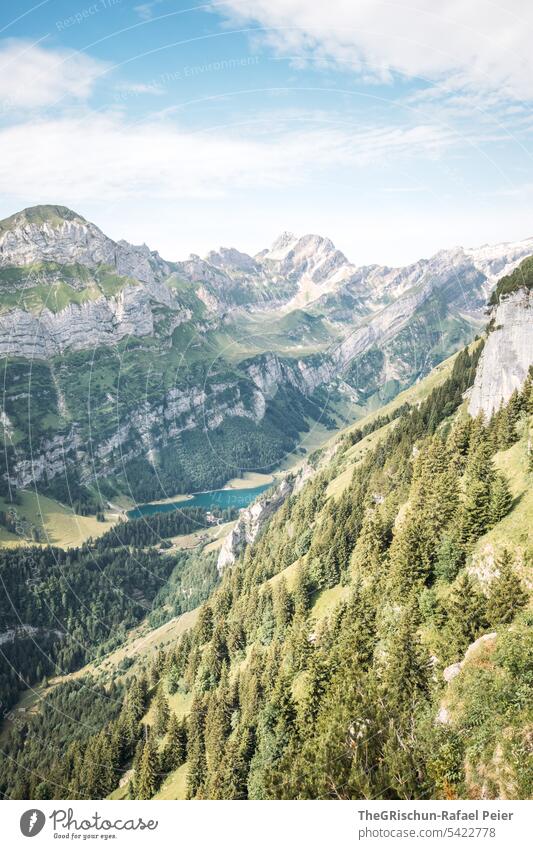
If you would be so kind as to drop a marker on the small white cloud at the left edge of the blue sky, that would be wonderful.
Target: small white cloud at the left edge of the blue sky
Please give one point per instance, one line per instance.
(33, 77)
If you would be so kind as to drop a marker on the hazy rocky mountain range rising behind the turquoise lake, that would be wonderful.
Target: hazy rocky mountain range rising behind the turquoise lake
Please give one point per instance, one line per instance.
(156, 377)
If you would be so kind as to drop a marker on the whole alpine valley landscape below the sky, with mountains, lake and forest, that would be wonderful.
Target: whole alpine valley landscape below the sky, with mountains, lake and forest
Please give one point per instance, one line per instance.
(272, 494)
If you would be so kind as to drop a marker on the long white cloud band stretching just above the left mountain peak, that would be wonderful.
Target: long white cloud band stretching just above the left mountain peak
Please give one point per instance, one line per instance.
(102, 156)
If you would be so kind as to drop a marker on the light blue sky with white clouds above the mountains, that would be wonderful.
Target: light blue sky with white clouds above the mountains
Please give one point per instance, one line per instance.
(395, 129)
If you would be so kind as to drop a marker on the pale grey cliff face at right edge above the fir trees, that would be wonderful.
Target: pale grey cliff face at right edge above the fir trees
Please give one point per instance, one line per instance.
(507, 354)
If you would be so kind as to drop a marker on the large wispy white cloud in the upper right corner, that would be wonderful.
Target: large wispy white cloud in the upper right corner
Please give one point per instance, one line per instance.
(476, 44)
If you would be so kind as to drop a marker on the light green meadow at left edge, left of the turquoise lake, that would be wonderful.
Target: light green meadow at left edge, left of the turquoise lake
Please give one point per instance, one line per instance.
(58, 524)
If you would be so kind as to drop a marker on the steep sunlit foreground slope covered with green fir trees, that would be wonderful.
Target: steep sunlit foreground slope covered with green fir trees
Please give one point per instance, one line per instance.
(363, 647)
